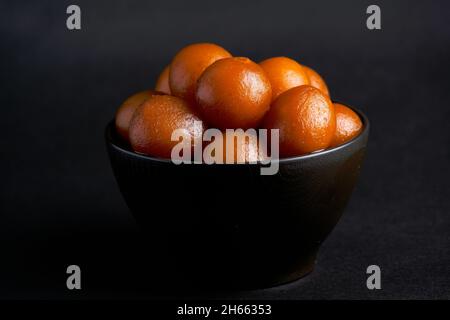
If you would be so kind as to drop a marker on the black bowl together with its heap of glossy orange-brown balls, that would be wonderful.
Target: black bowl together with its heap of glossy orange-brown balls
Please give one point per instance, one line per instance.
(226, 224)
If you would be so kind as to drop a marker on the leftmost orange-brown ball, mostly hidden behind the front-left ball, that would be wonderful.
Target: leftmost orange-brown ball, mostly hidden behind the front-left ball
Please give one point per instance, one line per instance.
(127, 109)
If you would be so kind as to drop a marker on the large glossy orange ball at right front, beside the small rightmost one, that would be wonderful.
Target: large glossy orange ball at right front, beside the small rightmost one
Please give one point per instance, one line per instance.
(306, 120)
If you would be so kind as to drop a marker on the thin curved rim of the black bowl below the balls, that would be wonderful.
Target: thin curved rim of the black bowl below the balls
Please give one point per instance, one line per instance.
(361, 135)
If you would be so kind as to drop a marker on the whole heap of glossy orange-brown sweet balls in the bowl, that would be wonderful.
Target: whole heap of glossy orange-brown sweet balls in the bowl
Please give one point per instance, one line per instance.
(204, 82)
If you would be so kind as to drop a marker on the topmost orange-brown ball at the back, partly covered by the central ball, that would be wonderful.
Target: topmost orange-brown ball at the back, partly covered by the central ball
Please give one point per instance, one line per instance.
(189, 64)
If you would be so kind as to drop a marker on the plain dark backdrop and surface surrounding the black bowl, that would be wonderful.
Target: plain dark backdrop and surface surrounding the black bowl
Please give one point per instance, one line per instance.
(59, 201)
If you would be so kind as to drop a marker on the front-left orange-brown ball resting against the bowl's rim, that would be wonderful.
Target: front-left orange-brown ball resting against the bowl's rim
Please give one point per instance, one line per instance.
(156, 119)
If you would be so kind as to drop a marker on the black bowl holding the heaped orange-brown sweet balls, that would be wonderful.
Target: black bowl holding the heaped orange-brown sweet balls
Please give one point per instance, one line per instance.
(227, 225)
